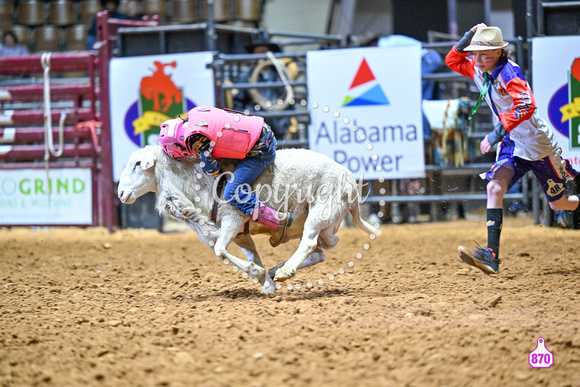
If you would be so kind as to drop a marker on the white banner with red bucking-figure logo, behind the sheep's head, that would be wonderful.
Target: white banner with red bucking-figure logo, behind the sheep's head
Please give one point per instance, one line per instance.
(147, 90)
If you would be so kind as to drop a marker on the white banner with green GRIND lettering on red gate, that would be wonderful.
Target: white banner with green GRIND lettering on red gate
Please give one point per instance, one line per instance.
(24, 198)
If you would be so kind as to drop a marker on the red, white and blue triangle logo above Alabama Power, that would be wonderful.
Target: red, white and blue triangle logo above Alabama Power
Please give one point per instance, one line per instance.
(366, 86)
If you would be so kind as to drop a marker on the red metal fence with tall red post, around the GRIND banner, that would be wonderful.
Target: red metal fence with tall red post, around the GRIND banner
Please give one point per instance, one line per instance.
(55, 115)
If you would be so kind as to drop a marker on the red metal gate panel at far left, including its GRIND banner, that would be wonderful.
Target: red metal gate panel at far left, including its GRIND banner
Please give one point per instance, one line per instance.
(49, 123)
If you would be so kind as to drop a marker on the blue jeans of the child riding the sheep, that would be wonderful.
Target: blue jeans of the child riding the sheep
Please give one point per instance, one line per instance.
(237, 189)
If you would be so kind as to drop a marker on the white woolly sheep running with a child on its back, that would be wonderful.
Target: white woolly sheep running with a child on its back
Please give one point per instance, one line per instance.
(317, 190)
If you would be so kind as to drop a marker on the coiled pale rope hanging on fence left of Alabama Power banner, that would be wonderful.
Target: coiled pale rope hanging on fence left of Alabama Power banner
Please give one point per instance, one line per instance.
(284, 72)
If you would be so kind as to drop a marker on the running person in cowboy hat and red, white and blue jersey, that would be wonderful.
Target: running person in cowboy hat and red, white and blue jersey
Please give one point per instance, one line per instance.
(528, 142)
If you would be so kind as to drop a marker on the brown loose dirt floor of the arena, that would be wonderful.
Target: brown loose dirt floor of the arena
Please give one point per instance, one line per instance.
(83, 307)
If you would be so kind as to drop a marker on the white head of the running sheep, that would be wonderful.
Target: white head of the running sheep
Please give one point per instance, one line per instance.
(138, 177)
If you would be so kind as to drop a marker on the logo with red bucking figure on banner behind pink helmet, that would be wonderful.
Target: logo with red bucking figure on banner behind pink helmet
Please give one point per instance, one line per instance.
(159, 99)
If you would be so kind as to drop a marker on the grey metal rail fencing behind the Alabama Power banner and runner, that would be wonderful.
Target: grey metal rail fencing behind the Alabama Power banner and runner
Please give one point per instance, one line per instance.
(380, 194)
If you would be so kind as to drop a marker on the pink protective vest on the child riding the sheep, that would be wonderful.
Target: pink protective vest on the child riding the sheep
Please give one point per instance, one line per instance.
(233, 133)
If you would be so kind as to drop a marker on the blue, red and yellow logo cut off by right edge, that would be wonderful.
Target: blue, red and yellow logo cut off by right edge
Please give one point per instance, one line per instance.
(564, 107)
